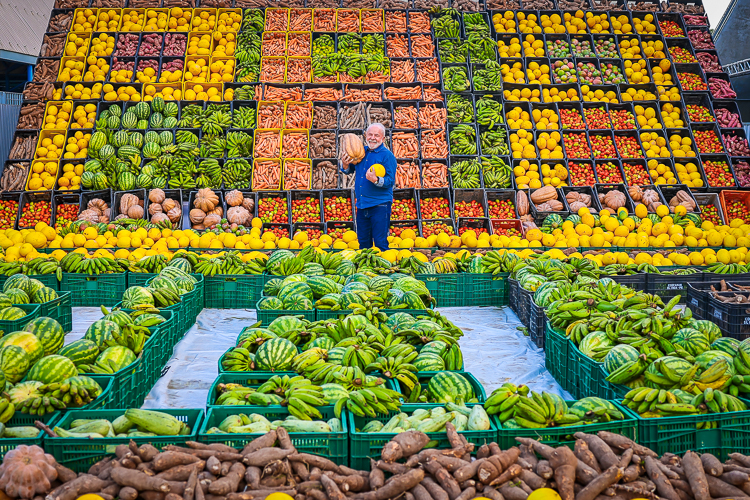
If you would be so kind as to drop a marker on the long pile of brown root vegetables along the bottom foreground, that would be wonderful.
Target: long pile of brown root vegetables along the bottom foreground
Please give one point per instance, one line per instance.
(598, 467)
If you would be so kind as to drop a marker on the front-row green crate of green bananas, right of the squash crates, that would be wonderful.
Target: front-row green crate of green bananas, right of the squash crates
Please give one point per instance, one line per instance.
(559, 436)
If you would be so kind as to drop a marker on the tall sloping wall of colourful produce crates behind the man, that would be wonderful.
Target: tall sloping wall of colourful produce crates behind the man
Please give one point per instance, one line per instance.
(481, 104)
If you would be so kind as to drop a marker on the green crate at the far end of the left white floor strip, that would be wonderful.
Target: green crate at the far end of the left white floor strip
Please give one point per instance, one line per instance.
(233, 291)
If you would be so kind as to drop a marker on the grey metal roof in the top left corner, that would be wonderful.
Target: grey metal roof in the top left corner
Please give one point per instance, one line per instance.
(22, 25)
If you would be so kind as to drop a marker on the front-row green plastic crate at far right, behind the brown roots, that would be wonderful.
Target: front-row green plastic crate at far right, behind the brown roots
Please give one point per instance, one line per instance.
(680, 434)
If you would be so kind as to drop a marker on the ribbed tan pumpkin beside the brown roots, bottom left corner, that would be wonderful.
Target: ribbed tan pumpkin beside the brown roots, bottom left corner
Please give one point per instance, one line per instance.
(27, 472)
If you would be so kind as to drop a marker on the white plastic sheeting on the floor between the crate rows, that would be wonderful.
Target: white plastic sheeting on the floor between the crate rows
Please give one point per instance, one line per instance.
(495, 352)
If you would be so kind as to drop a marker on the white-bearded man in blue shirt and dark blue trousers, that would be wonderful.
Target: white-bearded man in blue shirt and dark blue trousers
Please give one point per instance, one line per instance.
(373, 193)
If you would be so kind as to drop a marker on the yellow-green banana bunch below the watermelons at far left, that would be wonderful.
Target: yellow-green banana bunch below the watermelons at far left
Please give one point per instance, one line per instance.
(72, 392)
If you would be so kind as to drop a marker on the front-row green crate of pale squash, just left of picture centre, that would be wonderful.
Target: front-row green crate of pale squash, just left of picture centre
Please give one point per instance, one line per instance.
(331, 445)
